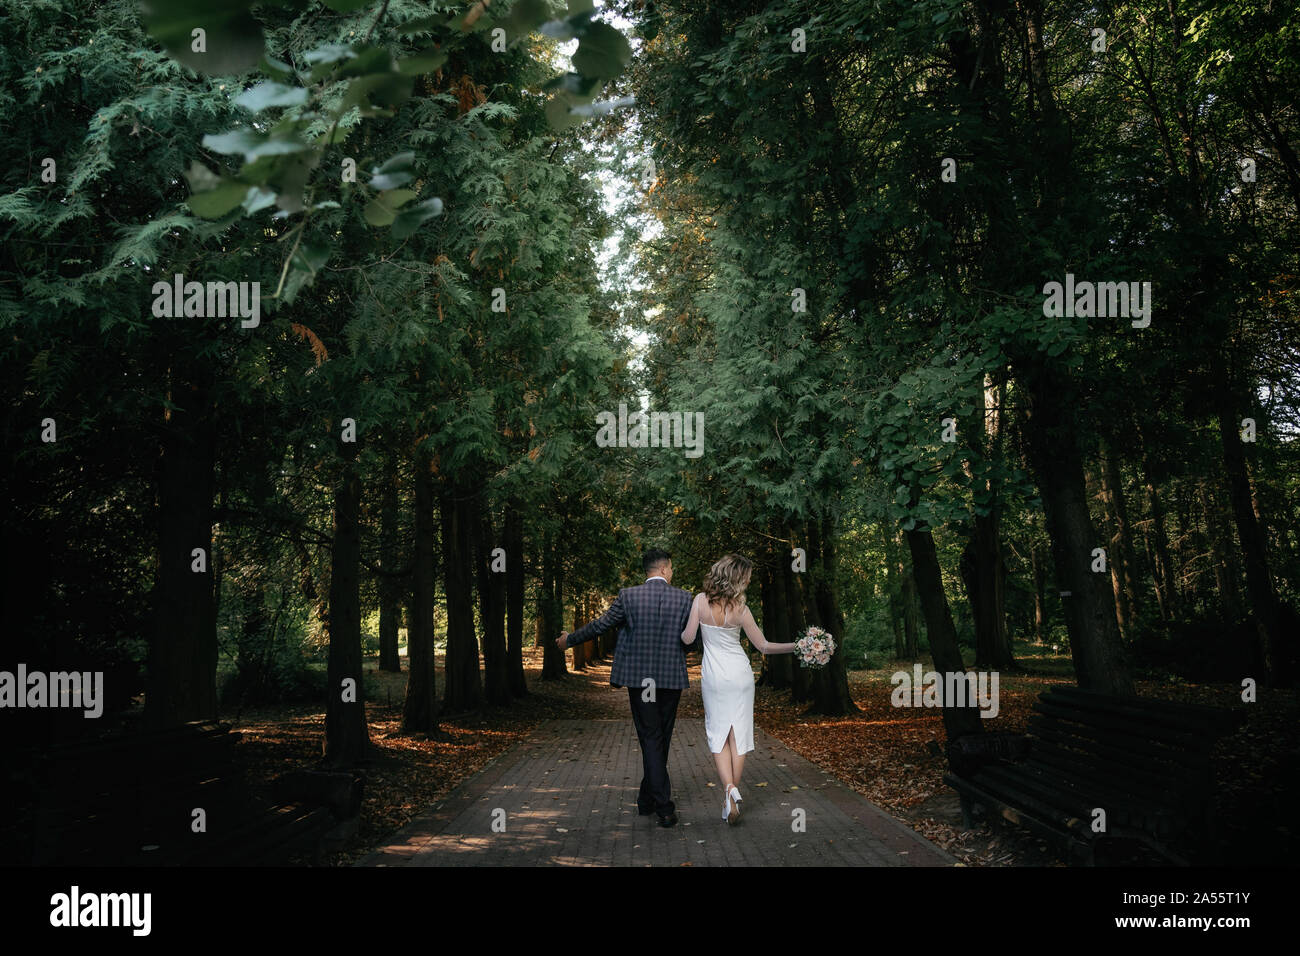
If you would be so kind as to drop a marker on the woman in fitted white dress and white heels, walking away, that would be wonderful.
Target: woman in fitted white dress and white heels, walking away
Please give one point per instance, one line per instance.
(727, 676)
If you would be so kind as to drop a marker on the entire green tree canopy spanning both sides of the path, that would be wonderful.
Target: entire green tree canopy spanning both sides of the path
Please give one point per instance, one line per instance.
(774, 171)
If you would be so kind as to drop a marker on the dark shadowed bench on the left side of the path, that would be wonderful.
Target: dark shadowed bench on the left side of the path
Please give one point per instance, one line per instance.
(132, 802)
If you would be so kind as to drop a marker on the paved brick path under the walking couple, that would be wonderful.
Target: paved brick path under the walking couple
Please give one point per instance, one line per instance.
(569, 794)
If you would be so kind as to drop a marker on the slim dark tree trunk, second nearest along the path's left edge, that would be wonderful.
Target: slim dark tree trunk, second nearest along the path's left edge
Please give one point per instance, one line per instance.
(421, 711)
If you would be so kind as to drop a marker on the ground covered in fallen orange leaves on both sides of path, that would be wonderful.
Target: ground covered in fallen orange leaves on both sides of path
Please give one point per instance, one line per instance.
(894, 756)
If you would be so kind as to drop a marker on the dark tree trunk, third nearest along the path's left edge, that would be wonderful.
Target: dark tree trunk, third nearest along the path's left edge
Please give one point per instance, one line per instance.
(462, 680)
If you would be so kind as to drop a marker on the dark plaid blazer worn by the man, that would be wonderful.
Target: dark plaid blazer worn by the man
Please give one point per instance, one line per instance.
(652, 617)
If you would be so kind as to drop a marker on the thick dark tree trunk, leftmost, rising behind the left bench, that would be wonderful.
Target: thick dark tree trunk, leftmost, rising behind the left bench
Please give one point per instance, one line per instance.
(184, 644)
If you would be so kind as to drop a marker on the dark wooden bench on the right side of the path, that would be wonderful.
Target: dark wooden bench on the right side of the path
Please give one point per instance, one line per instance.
(1145, 763)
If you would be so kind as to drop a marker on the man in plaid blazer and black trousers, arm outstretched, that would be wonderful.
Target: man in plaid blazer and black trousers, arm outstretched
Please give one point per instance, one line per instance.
(651, 661)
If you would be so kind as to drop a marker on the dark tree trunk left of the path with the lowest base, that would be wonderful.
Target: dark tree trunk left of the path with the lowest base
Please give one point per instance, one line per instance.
(348, 737)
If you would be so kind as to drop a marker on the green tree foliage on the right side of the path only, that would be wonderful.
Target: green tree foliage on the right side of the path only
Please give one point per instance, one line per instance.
(925, 297)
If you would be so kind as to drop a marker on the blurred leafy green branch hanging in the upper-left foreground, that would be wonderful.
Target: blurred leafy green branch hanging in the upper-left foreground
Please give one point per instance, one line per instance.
(302, 110)
